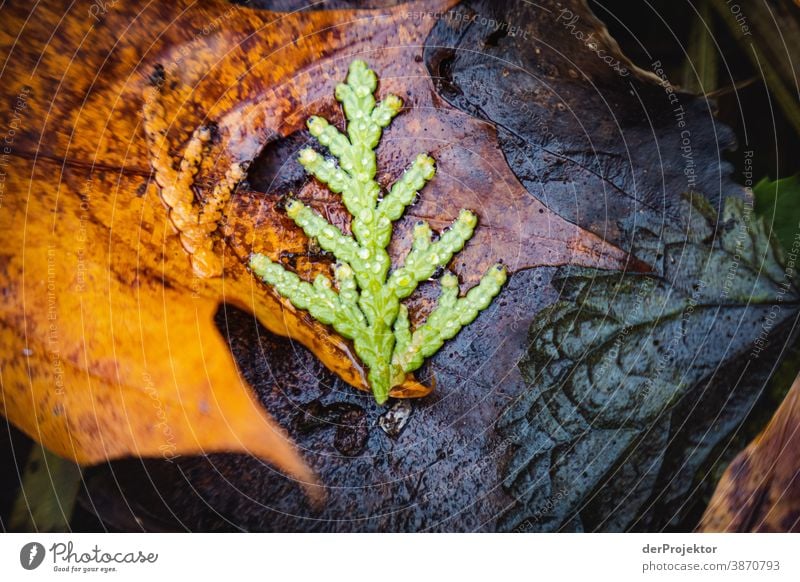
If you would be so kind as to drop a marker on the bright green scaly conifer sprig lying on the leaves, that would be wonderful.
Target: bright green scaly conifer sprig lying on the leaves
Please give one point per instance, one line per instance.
(367, 307)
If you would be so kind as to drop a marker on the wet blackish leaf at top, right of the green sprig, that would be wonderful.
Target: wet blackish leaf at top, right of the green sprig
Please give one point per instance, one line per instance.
(596, 140)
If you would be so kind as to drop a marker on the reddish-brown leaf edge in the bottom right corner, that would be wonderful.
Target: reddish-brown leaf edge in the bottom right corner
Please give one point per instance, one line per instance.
(760, 490)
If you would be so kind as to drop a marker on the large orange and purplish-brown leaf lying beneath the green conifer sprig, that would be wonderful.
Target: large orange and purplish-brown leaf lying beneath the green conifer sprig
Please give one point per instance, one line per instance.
(108, 341)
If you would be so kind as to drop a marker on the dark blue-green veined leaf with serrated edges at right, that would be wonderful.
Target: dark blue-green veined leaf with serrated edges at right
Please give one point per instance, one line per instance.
(628, 391)
